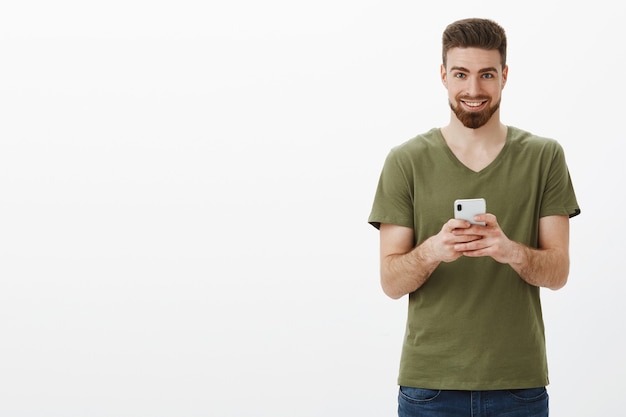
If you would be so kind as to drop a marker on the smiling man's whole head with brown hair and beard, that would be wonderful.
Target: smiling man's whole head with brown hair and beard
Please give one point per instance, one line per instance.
(474, 69)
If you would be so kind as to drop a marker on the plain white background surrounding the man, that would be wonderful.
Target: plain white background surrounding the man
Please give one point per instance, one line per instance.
(184, 192)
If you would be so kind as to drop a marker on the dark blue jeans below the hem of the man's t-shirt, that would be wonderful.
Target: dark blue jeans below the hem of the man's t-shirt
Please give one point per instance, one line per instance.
(418, 402)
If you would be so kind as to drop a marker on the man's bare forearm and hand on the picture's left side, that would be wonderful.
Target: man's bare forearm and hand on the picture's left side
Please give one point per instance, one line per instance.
(404, 267)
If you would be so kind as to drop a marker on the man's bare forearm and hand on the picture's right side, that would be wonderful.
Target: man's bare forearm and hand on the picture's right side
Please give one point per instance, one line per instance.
(547, 266)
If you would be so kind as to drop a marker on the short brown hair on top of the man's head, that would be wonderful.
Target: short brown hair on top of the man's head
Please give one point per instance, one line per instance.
(477, 33)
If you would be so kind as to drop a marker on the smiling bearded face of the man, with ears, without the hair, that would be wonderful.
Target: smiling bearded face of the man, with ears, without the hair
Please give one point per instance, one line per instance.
(474, 78)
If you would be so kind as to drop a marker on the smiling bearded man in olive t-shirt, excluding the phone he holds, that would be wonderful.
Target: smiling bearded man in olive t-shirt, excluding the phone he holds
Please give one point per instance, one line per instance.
(474, 343)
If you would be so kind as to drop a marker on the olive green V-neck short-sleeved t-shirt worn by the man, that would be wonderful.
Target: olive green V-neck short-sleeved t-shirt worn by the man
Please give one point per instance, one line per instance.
(475, 324)
